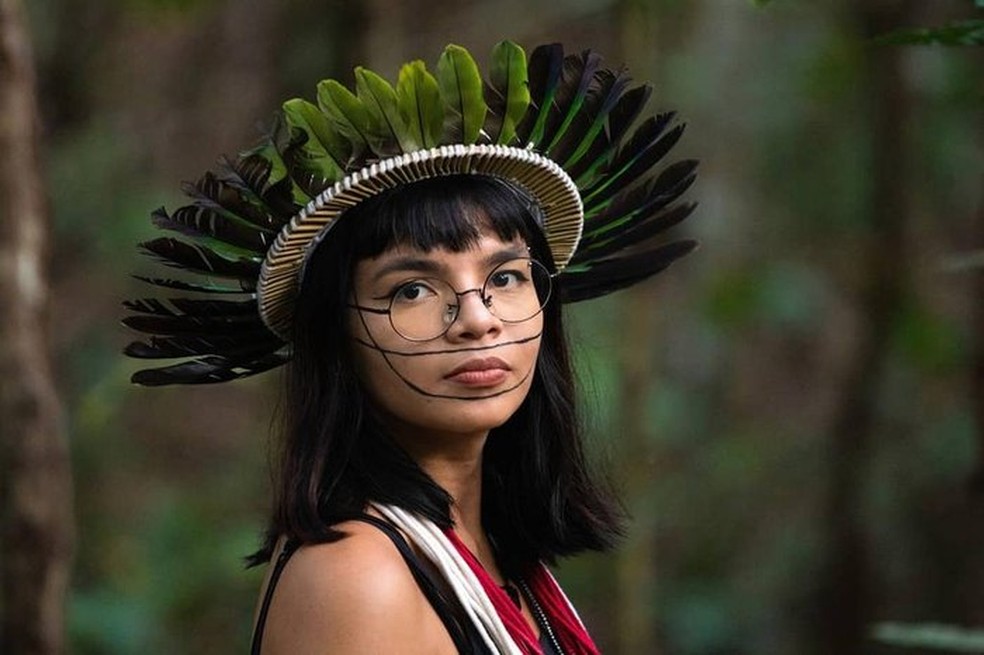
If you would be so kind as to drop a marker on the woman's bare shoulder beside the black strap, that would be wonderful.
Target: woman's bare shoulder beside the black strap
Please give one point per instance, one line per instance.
(355, 595)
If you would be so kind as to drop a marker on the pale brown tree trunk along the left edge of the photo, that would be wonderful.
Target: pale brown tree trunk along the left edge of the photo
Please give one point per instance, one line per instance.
(35, 489)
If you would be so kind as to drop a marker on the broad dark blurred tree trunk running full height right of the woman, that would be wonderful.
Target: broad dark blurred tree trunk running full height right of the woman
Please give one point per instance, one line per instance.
(846, 597)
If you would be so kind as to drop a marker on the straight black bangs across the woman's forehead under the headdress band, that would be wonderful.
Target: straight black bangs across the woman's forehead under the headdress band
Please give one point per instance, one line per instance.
(450, 212)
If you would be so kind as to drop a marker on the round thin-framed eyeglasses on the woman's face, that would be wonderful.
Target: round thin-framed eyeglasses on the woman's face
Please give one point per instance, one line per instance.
(424, 308)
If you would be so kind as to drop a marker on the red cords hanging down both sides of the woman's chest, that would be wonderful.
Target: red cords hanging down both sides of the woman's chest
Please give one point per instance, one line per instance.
(570, 632)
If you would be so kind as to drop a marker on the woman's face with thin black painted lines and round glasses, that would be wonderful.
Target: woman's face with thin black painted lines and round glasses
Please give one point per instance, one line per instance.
(476, 374)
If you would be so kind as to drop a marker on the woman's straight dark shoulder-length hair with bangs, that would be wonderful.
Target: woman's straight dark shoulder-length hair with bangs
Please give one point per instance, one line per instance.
(539, 499)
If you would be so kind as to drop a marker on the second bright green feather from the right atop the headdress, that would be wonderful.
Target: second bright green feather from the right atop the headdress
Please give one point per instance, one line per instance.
(461, 88)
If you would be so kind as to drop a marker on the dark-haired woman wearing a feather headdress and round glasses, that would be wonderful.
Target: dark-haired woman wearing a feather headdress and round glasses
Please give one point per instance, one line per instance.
(432, 460)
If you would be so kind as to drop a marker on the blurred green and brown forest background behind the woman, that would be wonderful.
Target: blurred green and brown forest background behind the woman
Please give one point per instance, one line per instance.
(794, 414)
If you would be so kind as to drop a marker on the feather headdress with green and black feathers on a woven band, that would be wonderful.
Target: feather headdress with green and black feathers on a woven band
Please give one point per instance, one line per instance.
(561, 127)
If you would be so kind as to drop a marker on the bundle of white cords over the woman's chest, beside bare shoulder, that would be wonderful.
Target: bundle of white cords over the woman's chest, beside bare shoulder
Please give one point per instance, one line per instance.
(438, 549)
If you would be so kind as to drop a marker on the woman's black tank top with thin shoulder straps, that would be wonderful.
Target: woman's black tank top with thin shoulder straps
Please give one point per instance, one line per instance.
(463, 633)
